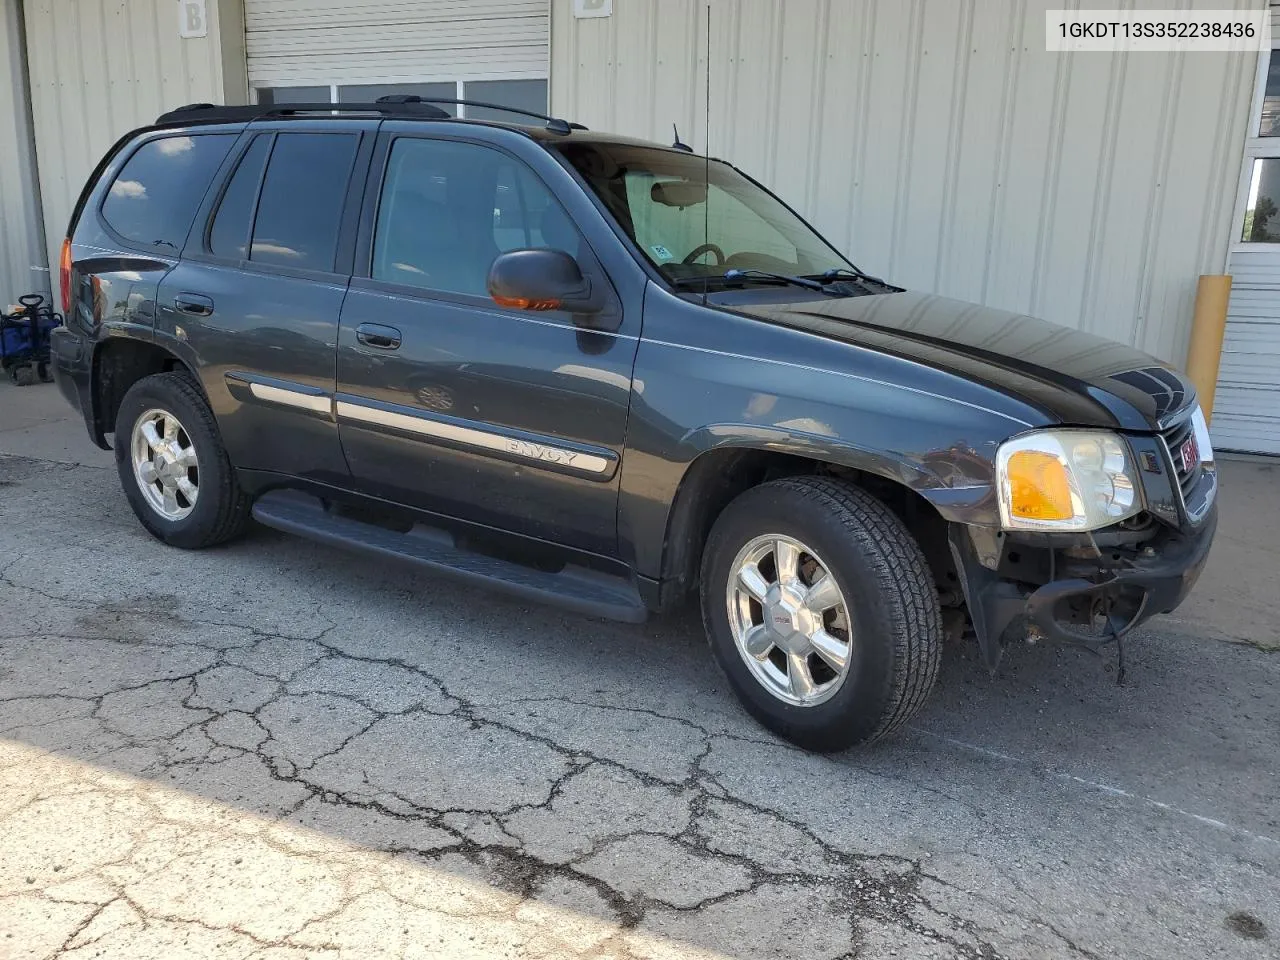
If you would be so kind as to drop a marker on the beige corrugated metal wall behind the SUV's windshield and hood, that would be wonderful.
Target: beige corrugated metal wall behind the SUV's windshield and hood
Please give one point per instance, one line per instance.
(943, 147)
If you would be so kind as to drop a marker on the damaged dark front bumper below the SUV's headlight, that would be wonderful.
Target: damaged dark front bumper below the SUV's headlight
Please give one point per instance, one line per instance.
(1082, 589)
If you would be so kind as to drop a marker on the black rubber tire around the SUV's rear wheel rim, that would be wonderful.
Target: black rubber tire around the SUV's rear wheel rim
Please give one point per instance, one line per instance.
(220, 510)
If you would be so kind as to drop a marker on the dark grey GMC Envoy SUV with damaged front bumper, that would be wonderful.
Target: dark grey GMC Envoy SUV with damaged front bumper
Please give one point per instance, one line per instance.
(610, 374)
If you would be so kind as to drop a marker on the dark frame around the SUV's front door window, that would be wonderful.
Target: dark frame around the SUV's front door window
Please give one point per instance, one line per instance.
(363, 278)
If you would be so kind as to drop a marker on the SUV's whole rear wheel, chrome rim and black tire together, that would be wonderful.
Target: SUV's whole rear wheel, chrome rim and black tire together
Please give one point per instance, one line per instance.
(173, 467)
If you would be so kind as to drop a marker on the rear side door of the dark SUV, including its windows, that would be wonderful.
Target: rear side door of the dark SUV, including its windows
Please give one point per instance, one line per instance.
(258, 295)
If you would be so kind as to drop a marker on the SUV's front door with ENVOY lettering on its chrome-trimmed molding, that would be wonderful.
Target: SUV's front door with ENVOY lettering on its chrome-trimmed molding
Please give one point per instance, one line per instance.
(450, 403)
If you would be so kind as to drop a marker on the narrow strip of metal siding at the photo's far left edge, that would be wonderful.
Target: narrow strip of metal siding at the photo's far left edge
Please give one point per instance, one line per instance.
(21, 255)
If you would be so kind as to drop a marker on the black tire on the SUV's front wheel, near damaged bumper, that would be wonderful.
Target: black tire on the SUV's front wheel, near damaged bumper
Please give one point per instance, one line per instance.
(889, 618)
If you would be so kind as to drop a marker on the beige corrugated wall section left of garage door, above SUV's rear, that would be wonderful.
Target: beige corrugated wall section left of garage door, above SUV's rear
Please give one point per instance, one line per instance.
(99, 68)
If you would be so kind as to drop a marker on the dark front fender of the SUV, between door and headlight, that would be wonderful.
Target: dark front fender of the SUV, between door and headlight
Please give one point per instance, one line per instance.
(708, 381)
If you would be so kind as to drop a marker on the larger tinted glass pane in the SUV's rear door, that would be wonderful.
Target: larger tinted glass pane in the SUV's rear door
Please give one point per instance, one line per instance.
(300, 211)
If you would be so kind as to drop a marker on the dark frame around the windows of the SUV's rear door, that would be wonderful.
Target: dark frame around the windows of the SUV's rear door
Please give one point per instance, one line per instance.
(198, 243)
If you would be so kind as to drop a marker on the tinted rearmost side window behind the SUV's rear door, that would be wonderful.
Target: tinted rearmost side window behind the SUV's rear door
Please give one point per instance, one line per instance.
(154, 199)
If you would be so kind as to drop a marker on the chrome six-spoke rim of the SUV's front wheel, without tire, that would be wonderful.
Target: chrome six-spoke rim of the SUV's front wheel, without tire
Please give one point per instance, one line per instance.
(790, 620)
